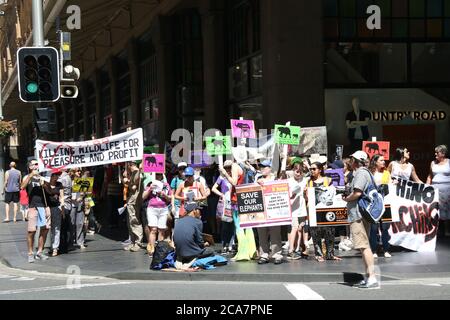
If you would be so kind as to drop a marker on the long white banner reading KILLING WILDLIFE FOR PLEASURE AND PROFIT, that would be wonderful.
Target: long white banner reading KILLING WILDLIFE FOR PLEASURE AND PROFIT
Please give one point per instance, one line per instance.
(127, 146)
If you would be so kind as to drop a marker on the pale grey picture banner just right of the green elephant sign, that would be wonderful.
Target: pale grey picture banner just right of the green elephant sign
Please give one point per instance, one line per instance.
(313, 140)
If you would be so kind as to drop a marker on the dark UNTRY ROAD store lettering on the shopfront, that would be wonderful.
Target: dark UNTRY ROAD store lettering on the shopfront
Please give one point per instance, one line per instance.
(384, 116)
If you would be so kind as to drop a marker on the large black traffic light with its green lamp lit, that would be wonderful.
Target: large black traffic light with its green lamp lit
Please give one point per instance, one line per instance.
(38, 74)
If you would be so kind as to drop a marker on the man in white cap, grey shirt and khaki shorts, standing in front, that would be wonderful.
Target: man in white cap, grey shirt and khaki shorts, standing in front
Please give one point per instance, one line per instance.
(359, 228)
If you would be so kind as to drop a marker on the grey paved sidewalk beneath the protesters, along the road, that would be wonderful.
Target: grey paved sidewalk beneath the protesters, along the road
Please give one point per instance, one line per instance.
(105, 257)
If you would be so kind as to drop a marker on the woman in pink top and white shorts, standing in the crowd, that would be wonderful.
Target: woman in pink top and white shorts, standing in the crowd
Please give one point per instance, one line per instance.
(160, 196)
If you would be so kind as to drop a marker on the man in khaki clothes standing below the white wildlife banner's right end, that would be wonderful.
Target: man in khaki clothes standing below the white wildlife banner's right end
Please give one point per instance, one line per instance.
(133, 208)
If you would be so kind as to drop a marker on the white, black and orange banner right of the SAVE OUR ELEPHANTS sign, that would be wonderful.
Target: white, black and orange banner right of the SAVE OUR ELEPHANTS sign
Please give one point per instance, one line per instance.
(326, 208)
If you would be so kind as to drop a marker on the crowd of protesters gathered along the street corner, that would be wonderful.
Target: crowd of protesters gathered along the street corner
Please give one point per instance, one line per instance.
(156, 203)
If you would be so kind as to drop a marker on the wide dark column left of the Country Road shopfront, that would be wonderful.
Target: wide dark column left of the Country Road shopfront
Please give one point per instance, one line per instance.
(293, 81)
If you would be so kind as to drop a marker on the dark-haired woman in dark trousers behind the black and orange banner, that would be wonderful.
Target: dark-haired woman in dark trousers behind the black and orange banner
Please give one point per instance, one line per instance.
(318, 180)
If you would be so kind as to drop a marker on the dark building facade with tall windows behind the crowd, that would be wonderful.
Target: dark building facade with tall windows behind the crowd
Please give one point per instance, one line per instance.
(162, 65)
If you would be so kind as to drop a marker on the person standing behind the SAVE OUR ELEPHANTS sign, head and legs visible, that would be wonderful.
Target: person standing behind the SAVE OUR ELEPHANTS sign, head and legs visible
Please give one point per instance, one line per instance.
(264, 233)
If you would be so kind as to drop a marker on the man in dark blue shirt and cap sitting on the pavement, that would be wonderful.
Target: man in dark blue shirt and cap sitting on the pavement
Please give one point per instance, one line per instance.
(188, 238)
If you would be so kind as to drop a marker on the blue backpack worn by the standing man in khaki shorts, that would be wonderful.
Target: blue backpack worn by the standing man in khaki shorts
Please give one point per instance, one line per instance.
(371, 203)
